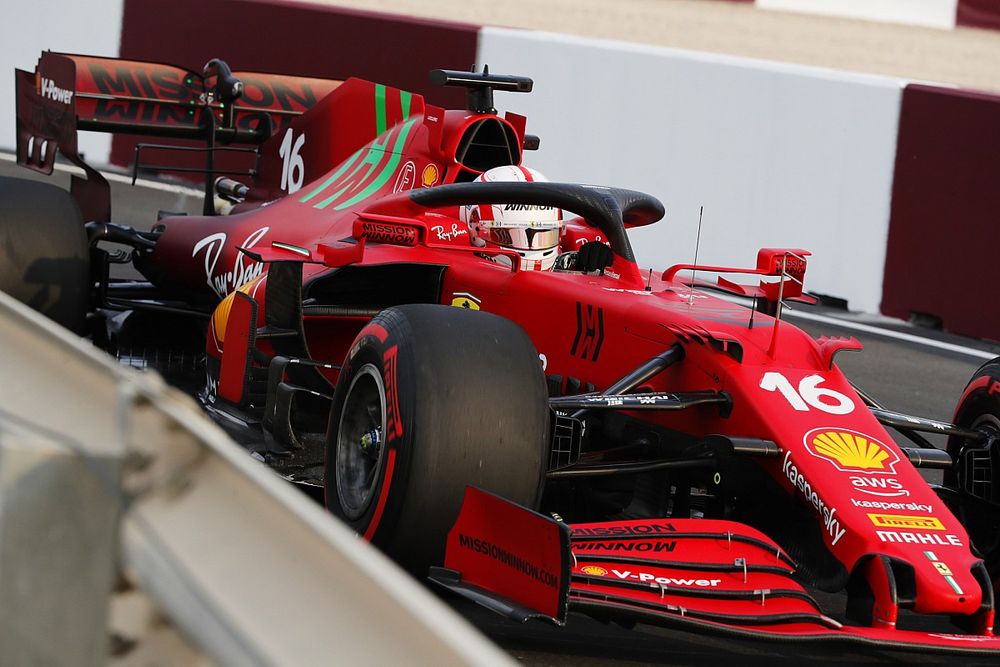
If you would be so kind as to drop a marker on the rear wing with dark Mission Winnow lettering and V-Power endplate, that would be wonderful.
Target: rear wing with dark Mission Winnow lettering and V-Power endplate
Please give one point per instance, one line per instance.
(67, 93)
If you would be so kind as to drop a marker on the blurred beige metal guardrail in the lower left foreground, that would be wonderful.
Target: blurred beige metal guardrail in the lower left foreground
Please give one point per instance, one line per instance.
(109, 478)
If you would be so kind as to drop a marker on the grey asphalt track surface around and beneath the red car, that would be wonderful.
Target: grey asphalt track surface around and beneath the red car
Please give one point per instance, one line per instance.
(904, 375)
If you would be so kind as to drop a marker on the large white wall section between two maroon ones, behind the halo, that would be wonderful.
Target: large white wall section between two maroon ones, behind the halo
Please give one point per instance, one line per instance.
(778, 155)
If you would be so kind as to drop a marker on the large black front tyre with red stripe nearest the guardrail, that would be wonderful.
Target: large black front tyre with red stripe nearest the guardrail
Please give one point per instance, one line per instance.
(432, 399)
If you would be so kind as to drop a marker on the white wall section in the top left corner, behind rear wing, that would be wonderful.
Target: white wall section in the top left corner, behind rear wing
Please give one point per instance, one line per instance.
(92, 27)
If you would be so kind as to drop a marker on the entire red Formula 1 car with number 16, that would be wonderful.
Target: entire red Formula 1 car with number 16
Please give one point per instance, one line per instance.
(625, 445)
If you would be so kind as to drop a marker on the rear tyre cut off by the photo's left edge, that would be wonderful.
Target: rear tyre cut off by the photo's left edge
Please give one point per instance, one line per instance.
(44, 255)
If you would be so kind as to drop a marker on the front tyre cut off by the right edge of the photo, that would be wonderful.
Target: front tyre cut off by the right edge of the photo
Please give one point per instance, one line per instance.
(979, 409)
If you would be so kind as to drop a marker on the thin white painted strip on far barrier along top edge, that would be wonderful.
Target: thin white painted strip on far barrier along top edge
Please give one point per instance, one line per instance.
(928, 13)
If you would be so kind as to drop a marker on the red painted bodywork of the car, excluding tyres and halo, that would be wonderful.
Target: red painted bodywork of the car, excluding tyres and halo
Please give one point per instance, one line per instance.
(334, 191)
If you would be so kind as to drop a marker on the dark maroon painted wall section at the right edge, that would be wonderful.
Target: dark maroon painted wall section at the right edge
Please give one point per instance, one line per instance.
(943, 233)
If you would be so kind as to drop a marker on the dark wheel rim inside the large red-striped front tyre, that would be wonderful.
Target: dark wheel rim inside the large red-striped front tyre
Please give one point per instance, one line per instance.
(360, 449)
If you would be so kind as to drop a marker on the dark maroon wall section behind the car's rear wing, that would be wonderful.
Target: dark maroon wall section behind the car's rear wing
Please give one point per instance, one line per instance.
(296, 38)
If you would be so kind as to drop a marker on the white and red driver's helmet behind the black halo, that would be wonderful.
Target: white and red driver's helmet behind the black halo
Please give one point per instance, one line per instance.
(531, 230)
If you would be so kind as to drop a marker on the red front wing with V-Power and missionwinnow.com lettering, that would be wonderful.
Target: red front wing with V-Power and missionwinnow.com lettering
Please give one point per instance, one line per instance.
(707, 575)
